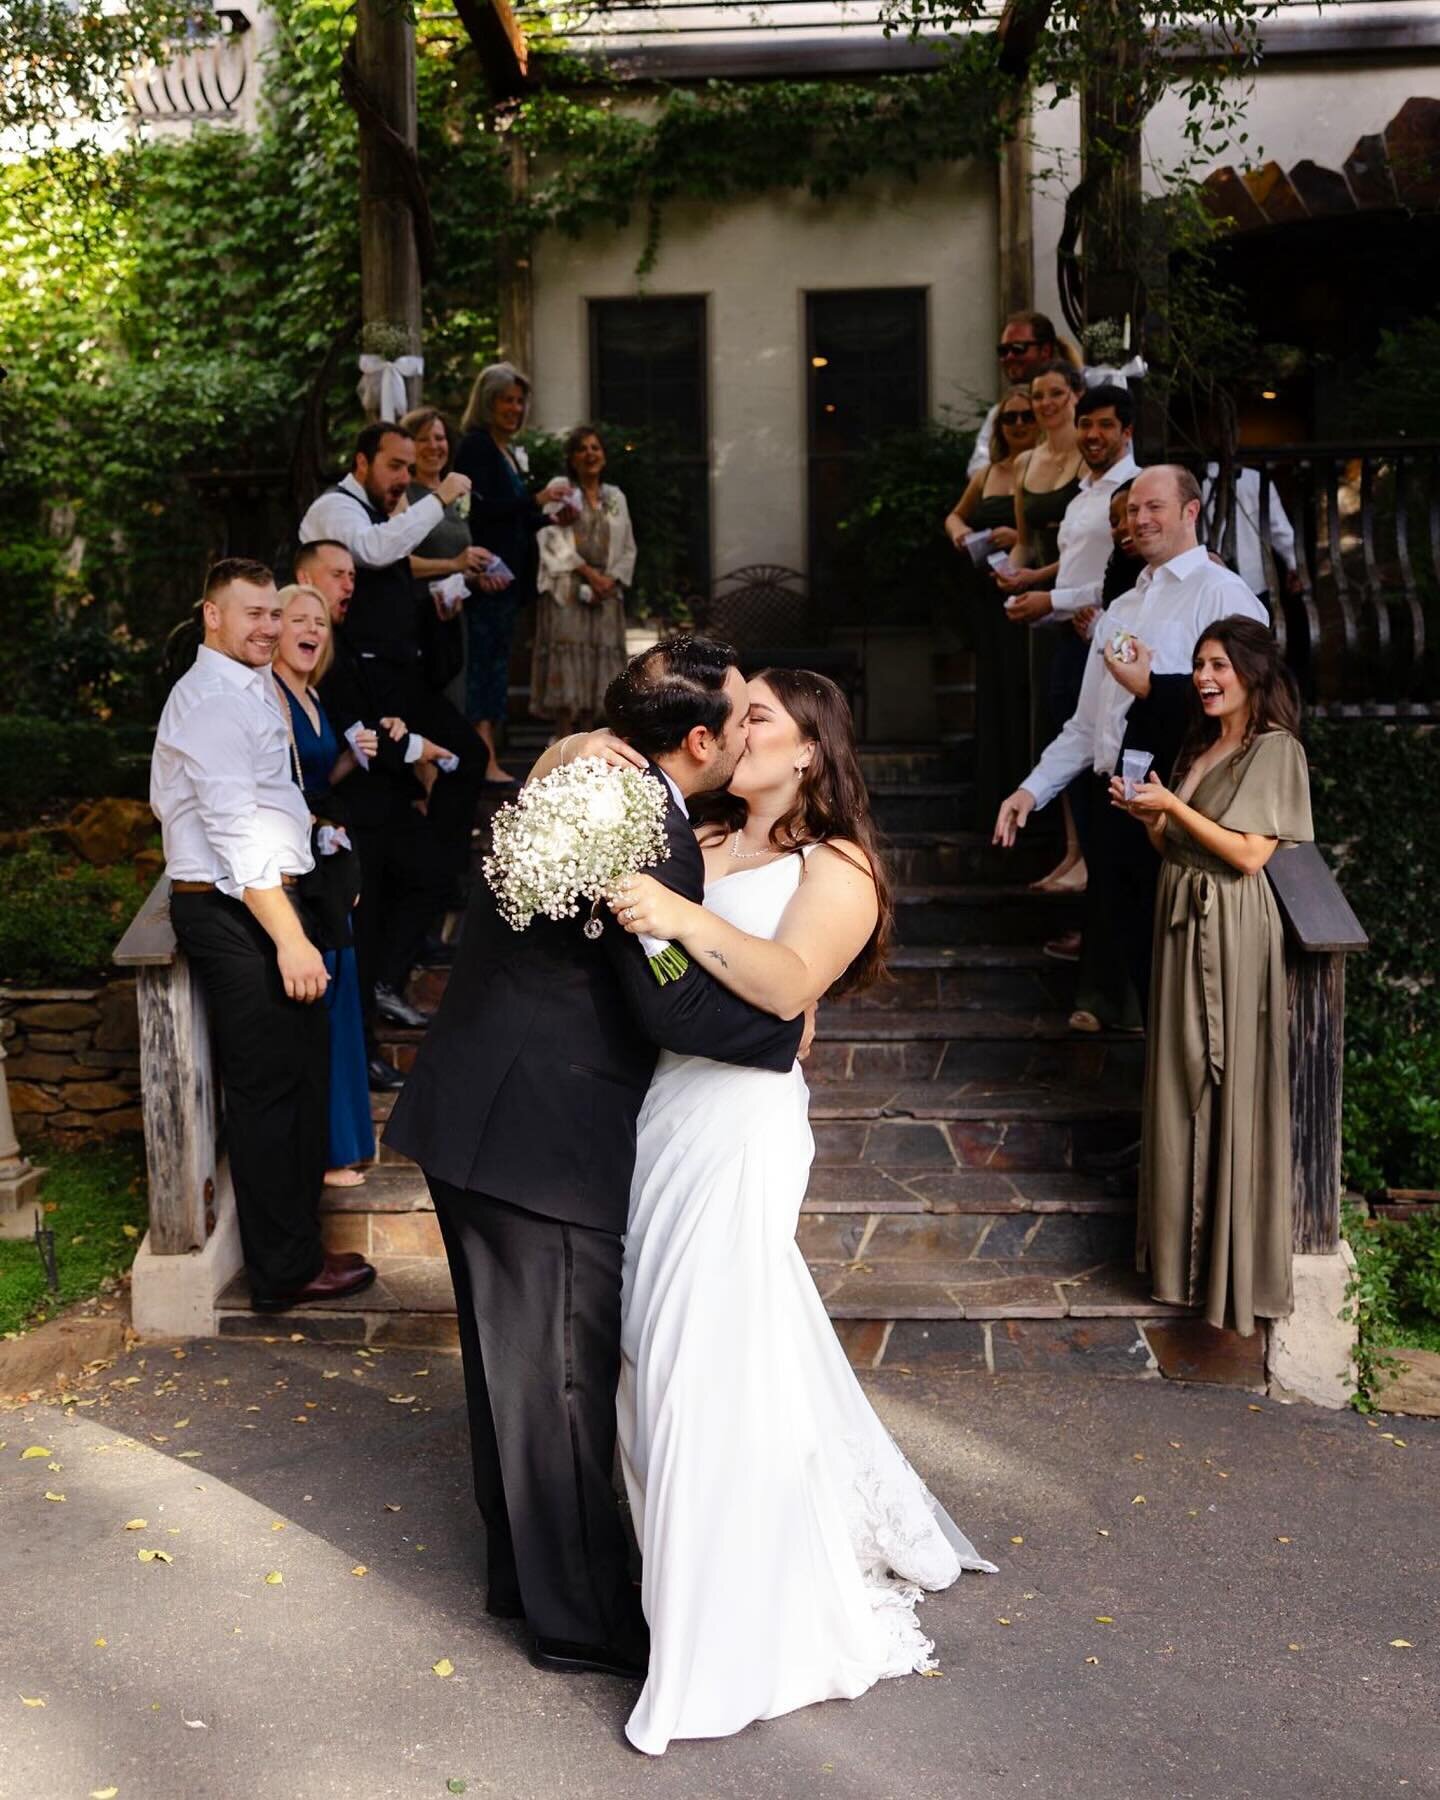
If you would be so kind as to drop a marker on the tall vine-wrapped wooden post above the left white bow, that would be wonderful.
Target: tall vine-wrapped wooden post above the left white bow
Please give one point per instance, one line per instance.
(390, 260)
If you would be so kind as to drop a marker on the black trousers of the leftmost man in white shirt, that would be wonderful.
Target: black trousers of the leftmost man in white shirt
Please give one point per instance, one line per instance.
(274, 1068)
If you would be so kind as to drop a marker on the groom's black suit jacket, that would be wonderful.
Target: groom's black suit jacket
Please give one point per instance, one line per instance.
(532, 1077)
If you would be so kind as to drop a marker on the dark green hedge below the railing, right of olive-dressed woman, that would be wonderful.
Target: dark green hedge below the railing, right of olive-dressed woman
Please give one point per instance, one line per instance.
(1374, 820)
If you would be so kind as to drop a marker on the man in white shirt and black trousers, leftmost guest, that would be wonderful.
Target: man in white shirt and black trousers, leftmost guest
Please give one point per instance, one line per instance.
(237, 834)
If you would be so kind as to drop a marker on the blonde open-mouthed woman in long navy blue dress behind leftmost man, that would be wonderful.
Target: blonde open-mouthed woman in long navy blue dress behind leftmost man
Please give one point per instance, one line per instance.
(301, 660)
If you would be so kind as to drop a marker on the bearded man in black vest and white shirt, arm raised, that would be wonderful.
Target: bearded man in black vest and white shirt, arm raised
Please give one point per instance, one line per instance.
(384, 624)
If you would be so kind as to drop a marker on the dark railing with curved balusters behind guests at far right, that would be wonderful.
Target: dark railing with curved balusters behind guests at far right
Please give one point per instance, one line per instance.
(1363, 629)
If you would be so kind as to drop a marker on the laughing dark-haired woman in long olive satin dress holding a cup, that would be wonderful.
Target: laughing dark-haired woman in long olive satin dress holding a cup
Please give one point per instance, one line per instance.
(1214, 1221)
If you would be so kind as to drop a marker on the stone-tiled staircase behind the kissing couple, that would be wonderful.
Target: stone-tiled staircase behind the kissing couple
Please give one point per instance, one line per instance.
(946, 1216)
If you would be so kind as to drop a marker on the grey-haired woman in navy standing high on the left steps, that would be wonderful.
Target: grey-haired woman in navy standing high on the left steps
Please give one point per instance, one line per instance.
(507, 519)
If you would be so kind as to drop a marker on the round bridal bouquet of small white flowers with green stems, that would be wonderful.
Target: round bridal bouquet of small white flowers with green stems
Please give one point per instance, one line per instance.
(575, 836)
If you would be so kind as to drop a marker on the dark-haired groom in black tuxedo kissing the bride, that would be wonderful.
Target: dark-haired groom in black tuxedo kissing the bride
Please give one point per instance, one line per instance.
(521, 1110)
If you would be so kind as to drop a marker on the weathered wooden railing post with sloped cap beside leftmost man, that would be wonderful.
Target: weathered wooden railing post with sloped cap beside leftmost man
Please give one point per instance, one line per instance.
(179, 1088)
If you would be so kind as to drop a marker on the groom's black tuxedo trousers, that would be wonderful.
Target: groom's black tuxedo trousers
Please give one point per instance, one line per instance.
(539, 1318)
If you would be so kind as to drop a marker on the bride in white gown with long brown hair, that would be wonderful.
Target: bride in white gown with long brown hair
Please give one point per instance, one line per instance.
(786, 1538)
